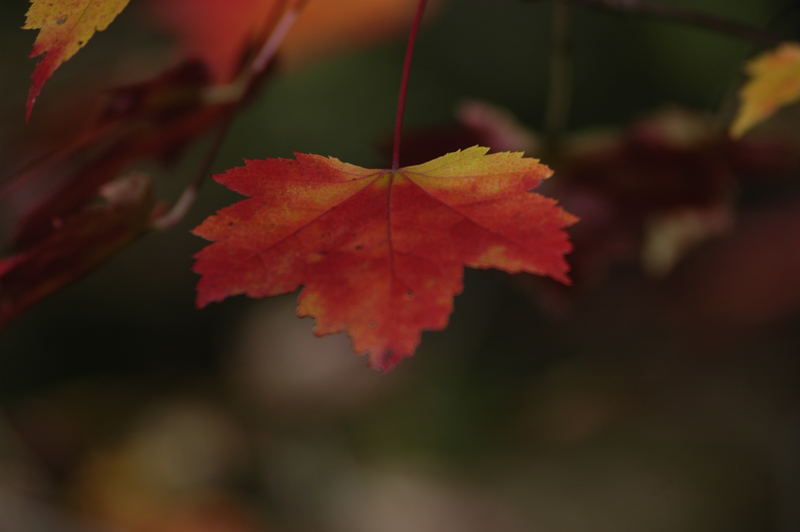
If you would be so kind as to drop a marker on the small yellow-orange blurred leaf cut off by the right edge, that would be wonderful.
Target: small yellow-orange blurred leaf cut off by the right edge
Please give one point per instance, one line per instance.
(774, 82)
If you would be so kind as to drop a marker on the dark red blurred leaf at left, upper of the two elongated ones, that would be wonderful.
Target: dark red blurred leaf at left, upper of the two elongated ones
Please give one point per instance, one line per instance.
(154, 119)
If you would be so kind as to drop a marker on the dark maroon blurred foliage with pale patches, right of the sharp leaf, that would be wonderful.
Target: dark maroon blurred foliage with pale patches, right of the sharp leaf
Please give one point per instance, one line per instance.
(654, 190)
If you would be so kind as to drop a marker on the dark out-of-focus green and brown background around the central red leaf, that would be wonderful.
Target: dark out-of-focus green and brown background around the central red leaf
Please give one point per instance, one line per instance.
(659, 393)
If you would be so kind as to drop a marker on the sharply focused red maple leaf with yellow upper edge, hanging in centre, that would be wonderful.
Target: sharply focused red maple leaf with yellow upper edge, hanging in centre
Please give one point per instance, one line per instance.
(380, 253)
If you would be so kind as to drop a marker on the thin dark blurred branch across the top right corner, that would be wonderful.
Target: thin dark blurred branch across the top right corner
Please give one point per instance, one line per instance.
(686, 16)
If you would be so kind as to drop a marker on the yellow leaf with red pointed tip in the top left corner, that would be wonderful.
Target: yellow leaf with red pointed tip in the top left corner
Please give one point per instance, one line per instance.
(66, 26)
